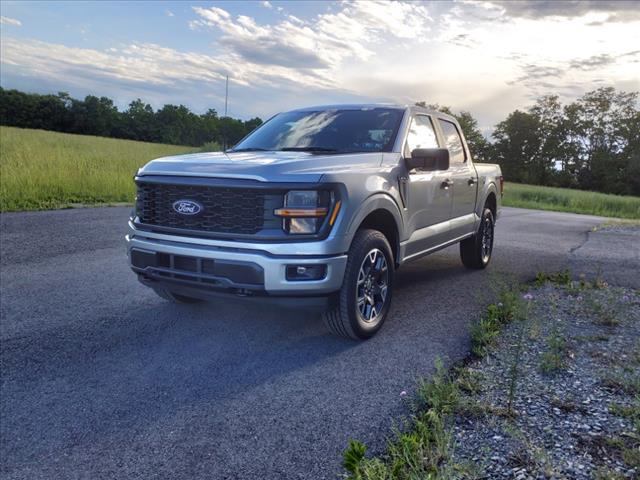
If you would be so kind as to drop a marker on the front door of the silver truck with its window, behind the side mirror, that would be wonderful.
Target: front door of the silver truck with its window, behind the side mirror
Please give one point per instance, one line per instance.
(429, 200)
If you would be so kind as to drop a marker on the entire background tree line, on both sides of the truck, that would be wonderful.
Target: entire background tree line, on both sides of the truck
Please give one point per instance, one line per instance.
(592, 143)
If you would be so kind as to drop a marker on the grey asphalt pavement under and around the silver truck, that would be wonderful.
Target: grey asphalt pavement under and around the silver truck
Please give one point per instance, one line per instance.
(102, 379)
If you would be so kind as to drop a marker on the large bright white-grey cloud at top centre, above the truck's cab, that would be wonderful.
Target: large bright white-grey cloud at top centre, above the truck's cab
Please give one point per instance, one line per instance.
(323, 42)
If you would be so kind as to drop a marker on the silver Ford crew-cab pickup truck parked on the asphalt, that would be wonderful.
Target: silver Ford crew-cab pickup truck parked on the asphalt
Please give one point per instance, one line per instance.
(318, 207)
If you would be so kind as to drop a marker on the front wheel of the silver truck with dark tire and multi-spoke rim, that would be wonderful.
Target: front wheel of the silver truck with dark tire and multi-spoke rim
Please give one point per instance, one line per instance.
(365, 297)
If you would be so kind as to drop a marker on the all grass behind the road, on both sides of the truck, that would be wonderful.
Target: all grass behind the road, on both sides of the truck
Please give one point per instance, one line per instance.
(43, 170)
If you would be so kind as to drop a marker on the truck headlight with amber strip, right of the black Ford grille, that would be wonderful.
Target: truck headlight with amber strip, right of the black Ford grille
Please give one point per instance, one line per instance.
(304, 211)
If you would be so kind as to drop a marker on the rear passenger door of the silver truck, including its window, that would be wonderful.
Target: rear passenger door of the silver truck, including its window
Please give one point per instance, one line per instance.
(464, 178)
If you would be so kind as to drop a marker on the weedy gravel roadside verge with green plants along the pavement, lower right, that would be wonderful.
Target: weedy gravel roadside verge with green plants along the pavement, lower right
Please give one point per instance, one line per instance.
(549, 391)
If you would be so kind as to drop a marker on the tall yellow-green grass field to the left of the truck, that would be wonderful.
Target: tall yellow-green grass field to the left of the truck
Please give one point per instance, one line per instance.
(43, 170)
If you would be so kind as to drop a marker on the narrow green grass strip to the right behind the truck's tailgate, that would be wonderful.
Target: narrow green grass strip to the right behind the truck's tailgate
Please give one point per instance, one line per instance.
(568, 200)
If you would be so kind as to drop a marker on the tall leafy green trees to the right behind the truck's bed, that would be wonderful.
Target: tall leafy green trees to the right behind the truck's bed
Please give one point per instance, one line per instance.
(592, 143)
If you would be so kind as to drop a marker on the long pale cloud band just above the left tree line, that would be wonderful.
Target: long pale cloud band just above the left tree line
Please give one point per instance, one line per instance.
(141, 65)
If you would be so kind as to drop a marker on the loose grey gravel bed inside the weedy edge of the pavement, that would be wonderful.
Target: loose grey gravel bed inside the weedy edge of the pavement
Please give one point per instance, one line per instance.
(561, 425)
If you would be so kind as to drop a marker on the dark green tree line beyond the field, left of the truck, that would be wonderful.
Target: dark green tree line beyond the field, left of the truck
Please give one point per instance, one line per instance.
(174, 124)
